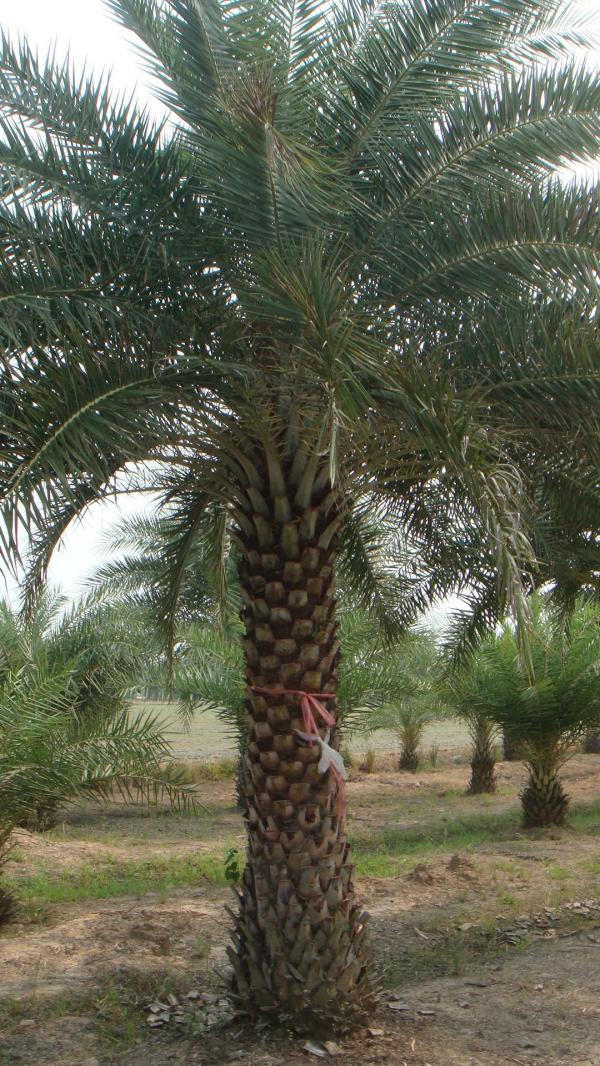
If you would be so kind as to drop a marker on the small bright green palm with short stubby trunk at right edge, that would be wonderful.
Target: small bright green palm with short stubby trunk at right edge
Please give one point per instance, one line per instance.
(547, 705)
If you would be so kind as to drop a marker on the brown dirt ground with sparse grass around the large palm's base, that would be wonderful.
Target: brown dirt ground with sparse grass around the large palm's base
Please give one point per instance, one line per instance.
(488, 942)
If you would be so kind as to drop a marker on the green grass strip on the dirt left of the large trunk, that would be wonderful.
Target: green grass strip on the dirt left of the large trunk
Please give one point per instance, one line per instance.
(103, 881)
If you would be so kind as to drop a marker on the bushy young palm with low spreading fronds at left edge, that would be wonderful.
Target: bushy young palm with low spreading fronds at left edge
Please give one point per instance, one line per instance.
(66, 728)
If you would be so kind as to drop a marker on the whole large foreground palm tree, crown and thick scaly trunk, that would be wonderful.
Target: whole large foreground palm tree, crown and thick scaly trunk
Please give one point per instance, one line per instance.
(342, 280)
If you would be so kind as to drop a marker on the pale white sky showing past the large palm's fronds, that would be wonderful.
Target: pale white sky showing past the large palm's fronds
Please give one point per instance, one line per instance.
(87, 30)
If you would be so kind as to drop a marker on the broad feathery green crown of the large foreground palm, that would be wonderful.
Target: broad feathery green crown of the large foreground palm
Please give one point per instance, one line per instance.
(346, 237)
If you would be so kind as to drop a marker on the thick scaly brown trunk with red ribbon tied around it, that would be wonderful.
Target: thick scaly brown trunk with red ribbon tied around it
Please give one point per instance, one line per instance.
(300, 951)
